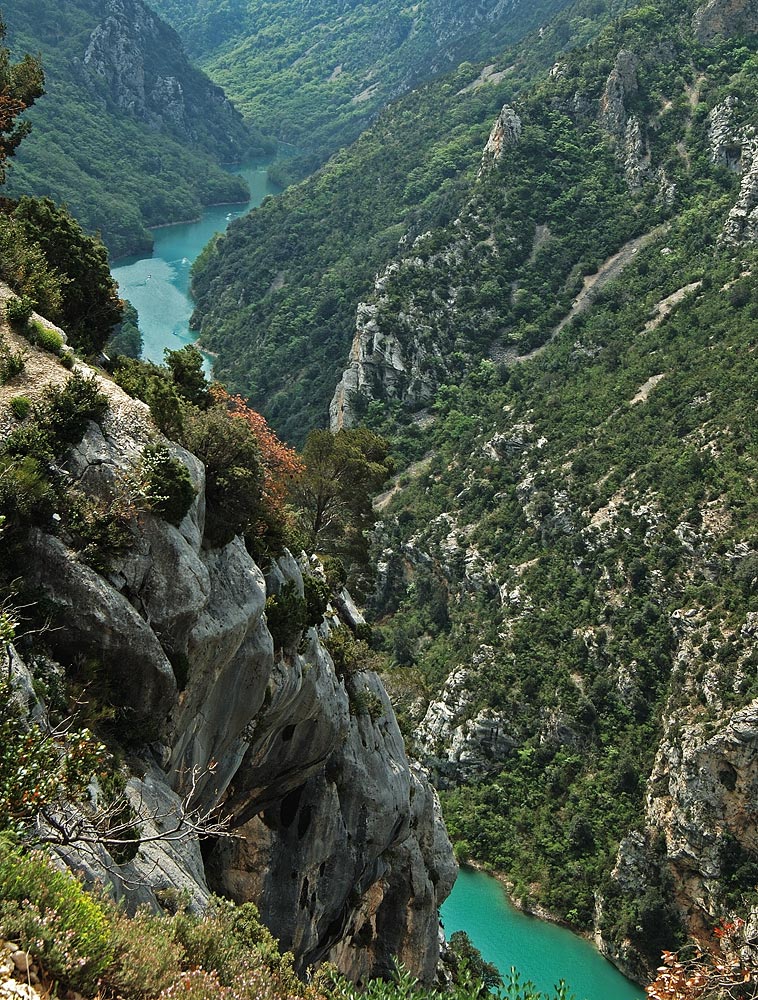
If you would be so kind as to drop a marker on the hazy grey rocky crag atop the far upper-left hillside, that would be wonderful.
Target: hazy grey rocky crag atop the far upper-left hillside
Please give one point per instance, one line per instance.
(134, 62)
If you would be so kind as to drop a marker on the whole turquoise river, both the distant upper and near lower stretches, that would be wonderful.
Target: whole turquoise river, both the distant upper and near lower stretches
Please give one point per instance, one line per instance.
(158, 287)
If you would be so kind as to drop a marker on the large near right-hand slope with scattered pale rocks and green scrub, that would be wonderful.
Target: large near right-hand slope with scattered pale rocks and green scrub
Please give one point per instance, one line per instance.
(568, 580)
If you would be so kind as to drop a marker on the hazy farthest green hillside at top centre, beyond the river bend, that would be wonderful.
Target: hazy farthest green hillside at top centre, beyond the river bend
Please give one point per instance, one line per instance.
(315, 74)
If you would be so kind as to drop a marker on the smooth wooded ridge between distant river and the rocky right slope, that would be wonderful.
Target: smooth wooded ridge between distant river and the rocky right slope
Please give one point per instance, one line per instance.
(277, 296)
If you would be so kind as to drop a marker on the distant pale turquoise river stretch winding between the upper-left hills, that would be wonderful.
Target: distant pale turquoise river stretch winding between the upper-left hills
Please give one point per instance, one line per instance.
(158, 286)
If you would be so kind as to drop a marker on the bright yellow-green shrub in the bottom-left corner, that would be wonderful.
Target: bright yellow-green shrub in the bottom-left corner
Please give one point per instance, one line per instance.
(50, 914)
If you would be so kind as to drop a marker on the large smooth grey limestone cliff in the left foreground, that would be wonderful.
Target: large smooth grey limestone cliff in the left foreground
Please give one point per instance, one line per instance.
(338, 839)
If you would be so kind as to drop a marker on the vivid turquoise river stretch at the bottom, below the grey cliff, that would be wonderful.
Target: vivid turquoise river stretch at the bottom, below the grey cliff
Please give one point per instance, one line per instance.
(540, 951)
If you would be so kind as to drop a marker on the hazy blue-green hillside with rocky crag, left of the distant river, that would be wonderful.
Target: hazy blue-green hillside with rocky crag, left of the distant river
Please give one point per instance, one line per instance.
(129, 133)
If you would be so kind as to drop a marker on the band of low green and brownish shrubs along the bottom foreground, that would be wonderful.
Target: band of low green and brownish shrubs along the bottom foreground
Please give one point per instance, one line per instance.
(86, 943)
